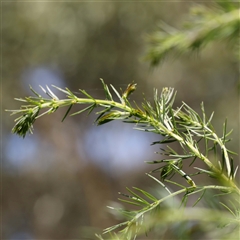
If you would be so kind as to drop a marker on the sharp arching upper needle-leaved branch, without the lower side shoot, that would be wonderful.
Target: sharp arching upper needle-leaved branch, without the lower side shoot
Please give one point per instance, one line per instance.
(174, 125)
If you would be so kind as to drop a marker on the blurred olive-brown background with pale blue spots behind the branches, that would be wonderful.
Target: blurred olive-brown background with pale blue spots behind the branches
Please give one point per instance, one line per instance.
(57, 183)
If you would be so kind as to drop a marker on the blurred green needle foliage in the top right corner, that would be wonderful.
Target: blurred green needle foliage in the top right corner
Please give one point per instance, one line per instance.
(205, 25)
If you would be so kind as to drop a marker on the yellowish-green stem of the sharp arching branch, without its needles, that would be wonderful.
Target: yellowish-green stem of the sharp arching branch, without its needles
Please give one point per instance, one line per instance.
(55, 103)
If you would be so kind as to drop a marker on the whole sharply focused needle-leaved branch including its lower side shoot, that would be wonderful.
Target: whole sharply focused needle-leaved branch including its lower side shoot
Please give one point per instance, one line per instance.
(182, 125)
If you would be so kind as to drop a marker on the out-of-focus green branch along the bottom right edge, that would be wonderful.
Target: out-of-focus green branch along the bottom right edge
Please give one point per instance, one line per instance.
(202, 218)
